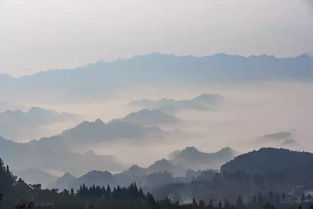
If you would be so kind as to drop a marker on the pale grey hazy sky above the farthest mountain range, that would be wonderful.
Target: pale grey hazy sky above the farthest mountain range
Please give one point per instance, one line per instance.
(46, 34)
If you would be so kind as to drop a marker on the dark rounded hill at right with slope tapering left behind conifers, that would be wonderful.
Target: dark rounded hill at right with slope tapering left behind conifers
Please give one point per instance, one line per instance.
(252, 175)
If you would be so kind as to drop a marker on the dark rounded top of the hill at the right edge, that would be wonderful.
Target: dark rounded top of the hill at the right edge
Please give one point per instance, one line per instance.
(271, 161)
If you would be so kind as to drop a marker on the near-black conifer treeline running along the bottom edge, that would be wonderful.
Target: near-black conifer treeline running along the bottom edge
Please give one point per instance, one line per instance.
(17, 194)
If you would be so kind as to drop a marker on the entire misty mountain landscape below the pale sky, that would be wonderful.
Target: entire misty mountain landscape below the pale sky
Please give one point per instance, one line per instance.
(160, 132)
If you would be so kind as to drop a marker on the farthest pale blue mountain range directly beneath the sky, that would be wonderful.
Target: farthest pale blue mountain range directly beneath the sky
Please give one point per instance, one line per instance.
(102, 78)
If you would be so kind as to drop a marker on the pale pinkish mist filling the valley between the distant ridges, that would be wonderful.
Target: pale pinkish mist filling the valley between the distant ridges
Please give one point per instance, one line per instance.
(248, 112)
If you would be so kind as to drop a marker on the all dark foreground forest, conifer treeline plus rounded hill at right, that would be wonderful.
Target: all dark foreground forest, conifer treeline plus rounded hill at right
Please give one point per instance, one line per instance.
(232, 189)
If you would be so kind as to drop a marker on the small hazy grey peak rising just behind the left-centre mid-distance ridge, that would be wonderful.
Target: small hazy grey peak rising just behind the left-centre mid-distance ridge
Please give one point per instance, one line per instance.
(149, 118)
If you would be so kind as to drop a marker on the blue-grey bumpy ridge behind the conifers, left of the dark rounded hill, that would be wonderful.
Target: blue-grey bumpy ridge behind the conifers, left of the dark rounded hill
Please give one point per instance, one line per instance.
(160, 173)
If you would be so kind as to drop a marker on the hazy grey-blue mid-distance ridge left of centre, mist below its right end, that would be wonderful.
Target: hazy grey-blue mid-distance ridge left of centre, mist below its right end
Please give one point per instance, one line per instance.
(95, 132)
